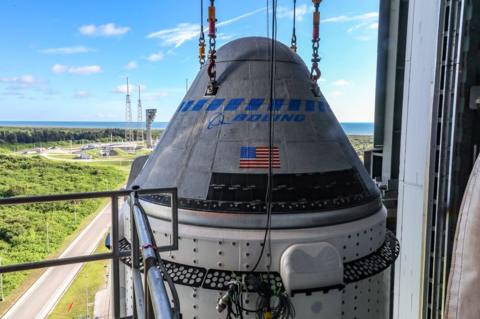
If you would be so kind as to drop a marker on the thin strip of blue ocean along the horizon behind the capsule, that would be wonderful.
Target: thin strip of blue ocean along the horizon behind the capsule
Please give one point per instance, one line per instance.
(350, 128)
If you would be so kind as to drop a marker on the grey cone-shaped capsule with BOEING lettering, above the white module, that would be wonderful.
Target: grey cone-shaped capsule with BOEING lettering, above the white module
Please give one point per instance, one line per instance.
(217, 151)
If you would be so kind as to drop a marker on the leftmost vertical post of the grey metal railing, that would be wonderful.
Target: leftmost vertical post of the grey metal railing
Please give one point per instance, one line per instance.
(116, 258)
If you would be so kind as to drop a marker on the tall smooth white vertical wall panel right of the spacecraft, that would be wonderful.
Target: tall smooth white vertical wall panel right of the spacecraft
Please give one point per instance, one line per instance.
(420, 70)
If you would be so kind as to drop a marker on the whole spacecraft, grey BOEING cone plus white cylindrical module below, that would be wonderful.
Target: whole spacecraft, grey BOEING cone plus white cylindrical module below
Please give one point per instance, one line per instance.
(328, 251)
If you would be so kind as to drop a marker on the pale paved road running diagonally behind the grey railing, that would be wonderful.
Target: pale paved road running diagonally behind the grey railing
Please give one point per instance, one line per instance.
(41, 298)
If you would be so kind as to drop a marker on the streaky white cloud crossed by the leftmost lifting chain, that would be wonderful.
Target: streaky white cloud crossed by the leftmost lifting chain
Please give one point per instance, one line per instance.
(188, 31)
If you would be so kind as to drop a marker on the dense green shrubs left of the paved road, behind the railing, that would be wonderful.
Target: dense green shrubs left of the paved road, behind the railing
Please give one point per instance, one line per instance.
(34, 232)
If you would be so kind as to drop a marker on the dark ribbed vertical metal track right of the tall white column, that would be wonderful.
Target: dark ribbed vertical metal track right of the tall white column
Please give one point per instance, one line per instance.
(440, 212)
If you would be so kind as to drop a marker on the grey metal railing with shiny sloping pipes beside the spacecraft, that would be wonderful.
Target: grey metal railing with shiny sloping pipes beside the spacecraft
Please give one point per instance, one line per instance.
(152, 295)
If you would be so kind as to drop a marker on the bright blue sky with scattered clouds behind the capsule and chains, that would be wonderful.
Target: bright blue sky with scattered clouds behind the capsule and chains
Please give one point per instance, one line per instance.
(67, 60)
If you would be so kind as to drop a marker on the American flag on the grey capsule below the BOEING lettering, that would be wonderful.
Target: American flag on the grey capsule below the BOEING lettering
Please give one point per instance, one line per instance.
(257, 157)
